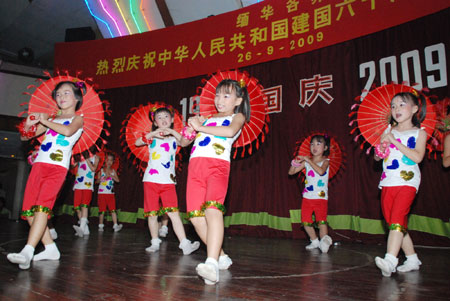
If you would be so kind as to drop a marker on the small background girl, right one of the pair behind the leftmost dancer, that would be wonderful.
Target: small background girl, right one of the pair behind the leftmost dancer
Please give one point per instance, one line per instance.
(106, 198)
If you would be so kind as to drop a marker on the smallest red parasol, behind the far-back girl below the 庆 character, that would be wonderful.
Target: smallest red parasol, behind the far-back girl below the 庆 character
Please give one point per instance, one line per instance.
(336, 155)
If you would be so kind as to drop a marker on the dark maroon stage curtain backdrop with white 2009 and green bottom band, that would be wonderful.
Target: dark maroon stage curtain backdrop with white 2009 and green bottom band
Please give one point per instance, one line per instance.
(262, 199)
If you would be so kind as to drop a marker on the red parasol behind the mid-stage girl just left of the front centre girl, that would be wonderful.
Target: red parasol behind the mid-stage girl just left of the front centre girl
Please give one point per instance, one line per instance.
(136, 123)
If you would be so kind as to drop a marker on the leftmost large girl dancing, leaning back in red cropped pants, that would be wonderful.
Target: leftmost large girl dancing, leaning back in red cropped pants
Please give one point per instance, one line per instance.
(49, 169)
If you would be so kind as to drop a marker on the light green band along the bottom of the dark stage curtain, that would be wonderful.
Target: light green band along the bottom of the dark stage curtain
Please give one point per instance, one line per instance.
(420, 223)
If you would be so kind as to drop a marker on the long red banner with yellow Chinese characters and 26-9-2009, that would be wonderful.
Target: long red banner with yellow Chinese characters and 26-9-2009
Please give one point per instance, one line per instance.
(266, 31)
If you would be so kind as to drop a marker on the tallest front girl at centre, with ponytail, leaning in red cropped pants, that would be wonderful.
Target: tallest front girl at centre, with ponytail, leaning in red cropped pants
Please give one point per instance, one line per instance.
(209, 170)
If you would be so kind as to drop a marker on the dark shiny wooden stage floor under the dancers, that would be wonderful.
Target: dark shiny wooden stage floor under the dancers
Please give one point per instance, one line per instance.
(114, 266)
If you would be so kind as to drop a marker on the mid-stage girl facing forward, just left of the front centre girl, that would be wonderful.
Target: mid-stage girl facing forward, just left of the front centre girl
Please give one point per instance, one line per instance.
(159, 179)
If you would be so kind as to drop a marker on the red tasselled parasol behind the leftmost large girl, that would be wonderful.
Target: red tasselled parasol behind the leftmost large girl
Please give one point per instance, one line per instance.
(92, 110)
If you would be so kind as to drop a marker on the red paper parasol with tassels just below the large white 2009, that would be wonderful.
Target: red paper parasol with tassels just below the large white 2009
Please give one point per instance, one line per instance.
(374, 112)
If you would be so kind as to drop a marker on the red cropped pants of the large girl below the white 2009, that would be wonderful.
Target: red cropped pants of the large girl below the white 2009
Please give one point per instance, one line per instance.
(396, 202)
